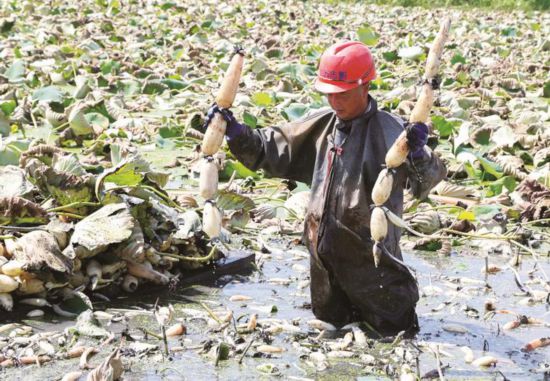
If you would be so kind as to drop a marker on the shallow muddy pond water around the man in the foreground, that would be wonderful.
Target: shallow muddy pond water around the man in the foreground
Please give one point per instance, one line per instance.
(454, 294)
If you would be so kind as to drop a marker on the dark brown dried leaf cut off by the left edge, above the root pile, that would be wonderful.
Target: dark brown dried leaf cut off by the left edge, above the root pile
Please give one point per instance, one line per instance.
(18, 211)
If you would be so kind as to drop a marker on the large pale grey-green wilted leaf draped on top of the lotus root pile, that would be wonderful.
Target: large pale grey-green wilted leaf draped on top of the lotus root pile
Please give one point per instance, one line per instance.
(111, 224)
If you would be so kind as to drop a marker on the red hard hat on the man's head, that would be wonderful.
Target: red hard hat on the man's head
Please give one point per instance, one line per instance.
(344, 66)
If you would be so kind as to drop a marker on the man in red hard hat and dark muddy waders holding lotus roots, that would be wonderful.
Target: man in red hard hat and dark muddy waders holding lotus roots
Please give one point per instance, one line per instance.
(340, 152)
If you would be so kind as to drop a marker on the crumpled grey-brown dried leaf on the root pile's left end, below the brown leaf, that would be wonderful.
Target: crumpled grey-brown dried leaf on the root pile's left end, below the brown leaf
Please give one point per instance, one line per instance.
(38, 250)
